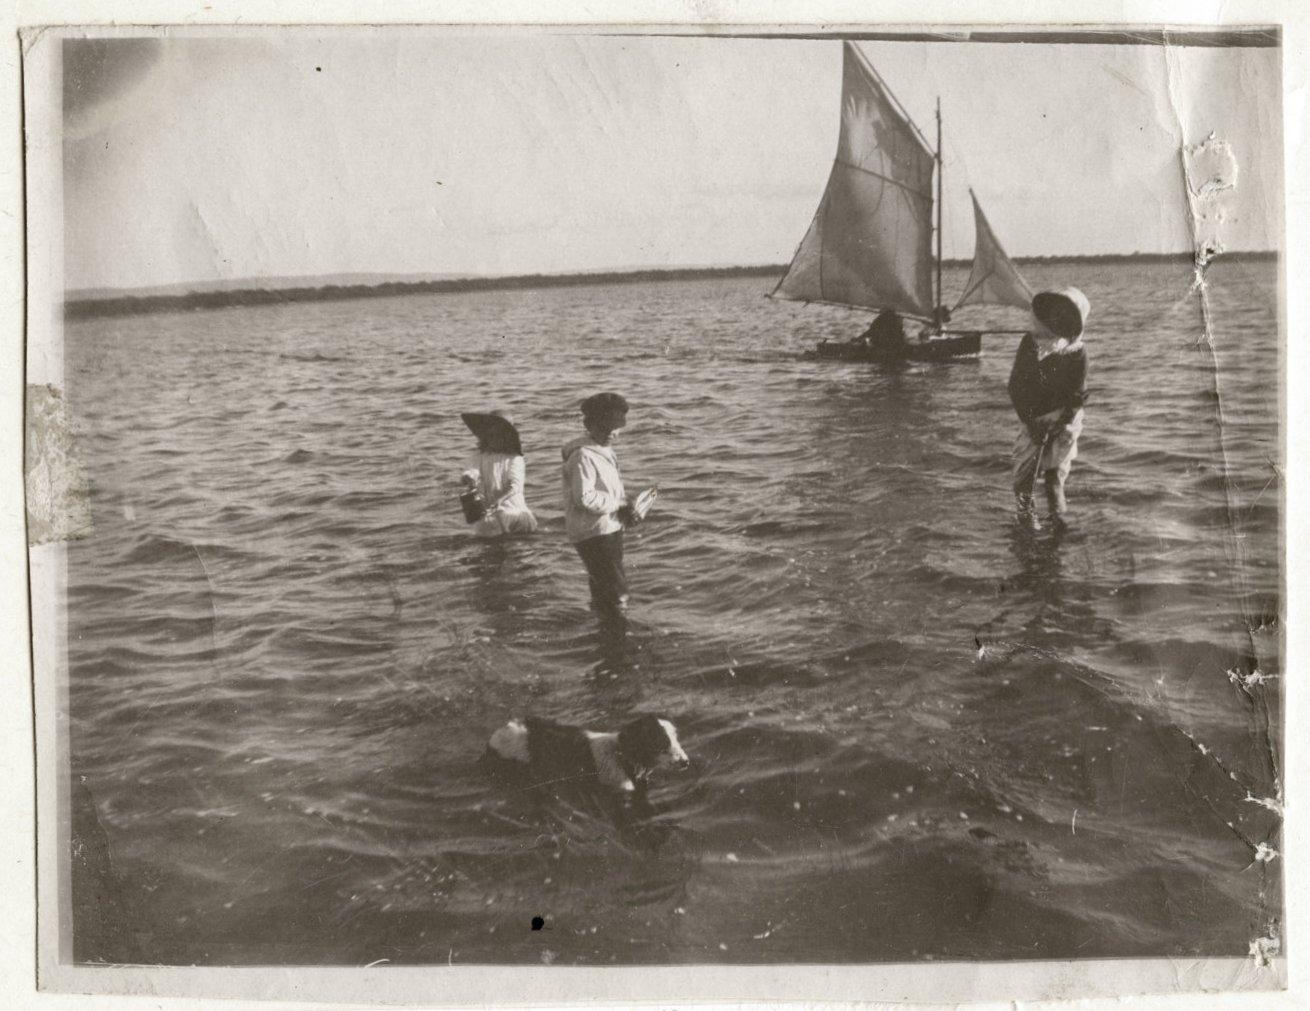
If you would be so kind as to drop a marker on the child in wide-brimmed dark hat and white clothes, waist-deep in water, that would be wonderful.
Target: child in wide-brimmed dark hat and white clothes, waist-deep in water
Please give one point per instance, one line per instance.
(497, 477)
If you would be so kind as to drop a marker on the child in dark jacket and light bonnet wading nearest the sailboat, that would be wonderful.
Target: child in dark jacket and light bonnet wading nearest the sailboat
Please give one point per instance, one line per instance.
(1049, 387)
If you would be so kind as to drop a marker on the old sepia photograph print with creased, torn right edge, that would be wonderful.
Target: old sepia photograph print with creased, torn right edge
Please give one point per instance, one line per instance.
(637, 497)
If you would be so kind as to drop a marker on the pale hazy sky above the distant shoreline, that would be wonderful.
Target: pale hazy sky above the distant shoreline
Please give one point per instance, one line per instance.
(404, 151)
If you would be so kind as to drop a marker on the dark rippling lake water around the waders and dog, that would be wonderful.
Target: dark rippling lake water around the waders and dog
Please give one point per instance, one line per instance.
(288, 653)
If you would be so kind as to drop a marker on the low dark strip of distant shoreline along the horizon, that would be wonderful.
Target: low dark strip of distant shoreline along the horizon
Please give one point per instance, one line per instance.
(191, 302)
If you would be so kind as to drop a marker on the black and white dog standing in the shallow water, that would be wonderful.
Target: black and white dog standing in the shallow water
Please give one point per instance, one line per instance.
(623, 762)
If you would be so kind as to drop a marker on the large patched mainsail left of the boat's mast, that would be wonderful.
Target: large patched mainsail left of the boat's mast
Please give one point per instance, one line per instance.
(870, 243)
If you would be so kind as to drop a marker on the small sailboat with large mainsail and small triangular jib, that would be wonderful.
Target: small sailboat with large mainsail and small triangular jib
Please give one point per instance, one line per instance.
(872, 243)
